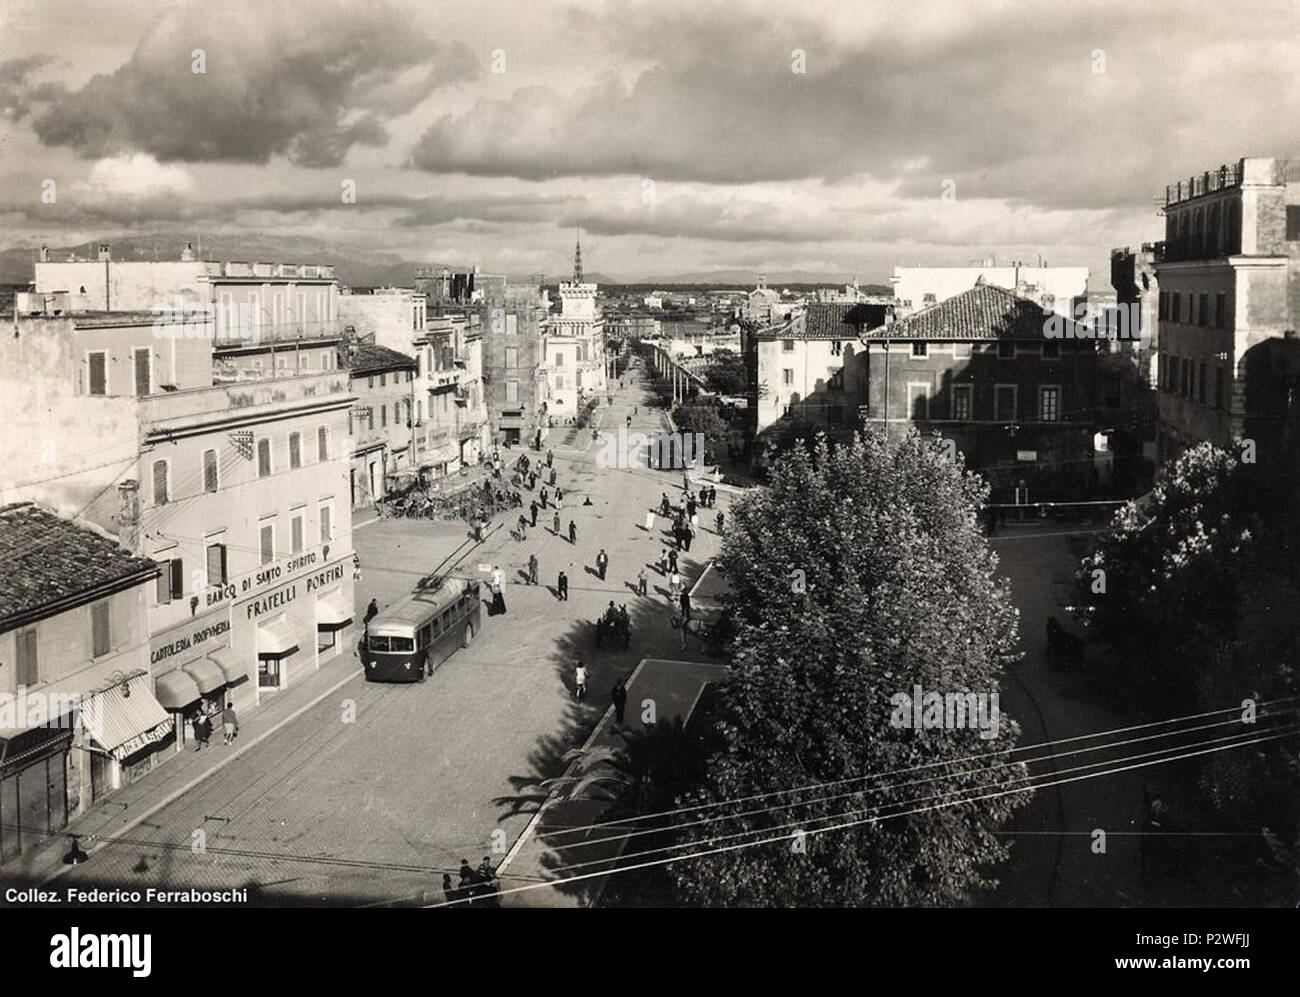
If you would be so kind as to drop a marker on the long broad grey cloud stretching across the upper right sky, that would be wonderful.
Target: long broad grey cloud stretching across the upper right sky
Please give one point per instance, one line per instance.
(1008, 105)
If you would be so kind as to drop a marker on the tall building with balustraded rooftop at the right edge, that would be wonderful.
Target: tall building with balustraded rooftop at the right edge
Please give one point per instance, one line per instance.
(1229, 275)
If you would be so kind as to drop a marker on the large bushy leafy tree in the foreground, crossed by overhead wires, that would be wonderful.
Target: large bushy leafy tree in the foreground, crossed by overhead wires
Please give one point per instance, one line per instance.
(859, 574)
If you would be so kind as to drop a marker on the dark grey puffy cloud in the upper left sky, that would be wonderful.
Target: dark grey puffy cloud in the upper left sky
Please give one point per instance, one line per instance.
(280, 81)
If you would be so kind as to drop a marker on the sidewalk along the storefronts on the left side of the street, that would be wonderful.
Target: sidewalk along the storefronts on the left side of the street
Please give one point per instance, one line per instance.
(135, 804)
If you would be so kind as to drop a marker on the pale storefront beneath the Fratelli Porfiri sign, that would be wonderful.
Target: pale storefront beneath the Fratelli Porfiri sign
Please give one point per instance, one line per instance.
(291, 630)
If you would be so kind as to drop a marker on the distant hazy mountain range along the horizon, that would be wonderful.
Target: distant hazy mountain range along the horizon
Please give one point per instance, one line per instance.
(356, 266)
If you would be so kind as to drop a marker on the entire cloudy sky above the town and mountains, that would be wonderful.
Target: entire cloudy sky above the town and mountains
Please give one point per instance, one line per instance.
(678, 136)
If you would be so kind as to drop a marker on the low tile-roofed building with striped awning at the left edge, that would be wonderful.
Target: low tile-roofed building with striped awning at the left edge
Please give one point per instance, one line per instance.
(79, 718)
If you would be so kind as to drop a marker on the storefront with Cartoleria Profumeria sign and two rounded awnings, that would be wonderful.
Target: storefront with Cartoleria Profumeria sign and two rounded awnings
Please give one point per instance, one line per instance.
(194, 671)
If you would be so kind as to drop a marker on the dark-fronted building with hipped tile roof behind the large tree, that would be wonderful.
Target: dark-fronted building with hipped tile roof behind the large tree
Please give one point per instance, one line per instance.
(982, 371)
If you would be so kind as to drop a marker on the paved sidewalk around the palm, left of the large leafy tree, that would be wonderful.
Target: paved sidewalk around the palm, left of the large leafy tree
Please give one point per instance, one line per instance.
(566, 838)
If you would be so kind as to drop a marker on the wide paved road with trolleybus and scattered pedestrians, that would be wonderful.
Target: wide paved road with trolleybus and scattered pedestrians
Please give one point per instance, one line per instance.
(375, 810)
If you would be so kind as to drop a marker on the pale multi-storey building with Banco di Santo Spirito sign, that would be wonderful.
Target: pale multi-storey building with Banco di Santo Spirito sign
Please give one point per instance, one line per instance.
(235, 483)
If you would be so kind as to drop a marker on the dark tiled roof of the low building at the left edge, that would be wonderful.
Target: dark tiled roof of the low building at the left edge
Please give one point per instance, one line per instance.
(49, 560)
